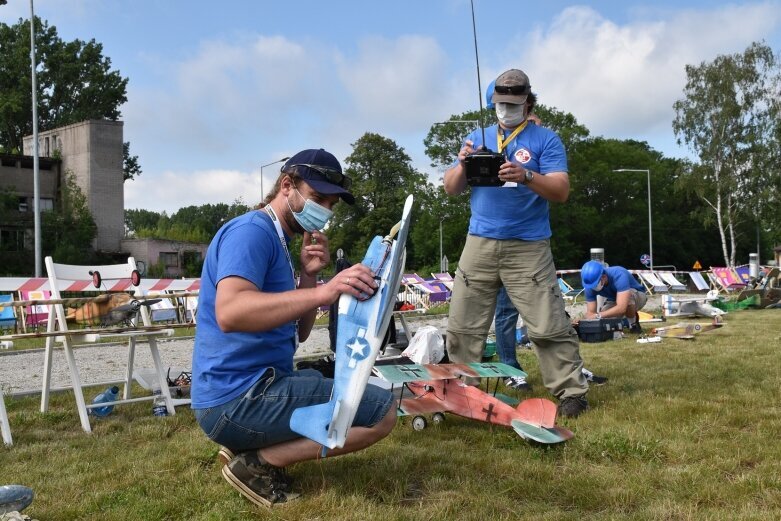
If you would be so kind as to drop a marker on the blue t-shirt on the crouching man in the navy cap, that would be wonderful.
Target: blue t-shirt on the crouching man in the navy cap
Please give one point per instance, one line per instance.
(225, 365)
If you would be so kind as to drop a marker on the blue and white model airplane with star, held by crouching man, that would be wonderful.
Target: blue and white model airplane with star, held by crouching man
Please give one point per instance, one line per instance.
(362, 326)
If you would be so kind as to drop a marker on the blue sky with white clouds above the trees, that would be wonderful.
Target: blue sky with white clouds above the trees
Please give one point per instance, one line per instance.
(219, 88)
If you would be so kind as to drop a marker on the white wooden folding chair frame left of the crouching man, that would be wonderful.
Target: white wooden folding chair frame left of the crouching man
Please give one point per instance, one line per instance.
(119, 277)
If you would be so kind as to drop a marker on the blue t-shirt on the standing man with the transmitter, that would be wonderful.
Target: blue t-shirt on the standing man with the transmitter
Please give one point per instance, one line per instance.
(517, 212)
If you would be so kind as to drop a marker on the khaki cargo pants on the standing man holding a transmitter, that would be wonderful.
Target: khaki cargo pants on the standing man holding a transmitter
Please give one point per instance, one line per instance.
(526, 269)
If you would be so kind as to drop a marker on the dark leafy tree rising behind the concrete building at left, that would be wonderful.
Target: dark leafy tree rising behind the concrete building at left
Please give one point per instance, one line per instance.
(75, 82)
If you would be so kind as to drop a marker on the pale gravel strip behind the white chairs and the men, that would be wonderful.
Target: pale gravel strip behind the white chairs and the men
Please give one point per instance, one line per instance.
(21, 371)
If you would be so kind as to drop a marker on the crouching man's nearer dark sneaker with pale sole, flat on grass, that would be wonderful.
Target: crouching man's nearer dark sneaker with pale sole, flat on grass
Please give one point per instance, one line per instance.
(259, 481)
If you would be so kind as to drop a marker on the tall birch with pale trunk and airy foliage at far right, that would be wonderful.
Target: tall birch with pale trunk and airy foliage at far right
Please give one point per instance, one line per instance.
(730, 118)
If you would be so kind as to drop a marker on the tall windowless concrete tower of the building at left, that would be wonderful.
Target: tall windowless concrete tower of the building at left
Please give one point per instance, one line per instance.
(92, 151)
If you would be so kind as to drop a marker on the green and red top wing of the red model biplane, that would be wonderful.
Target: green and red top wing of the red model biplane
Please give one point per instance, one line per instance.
(397, 374)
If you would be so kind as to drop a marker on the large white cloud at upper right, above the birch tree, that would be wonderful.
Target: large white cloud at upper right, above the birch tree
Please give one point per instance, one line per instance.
(622, 80)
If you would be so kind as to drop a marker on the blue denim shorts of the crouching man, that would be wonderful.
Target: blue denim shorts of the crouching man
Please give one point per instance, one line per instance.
(261, 417)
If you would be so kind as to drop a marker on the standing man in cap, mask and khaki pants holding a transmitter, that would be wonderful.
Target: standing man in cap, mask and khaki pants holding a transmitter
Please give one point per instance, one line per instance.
(509, 244)
